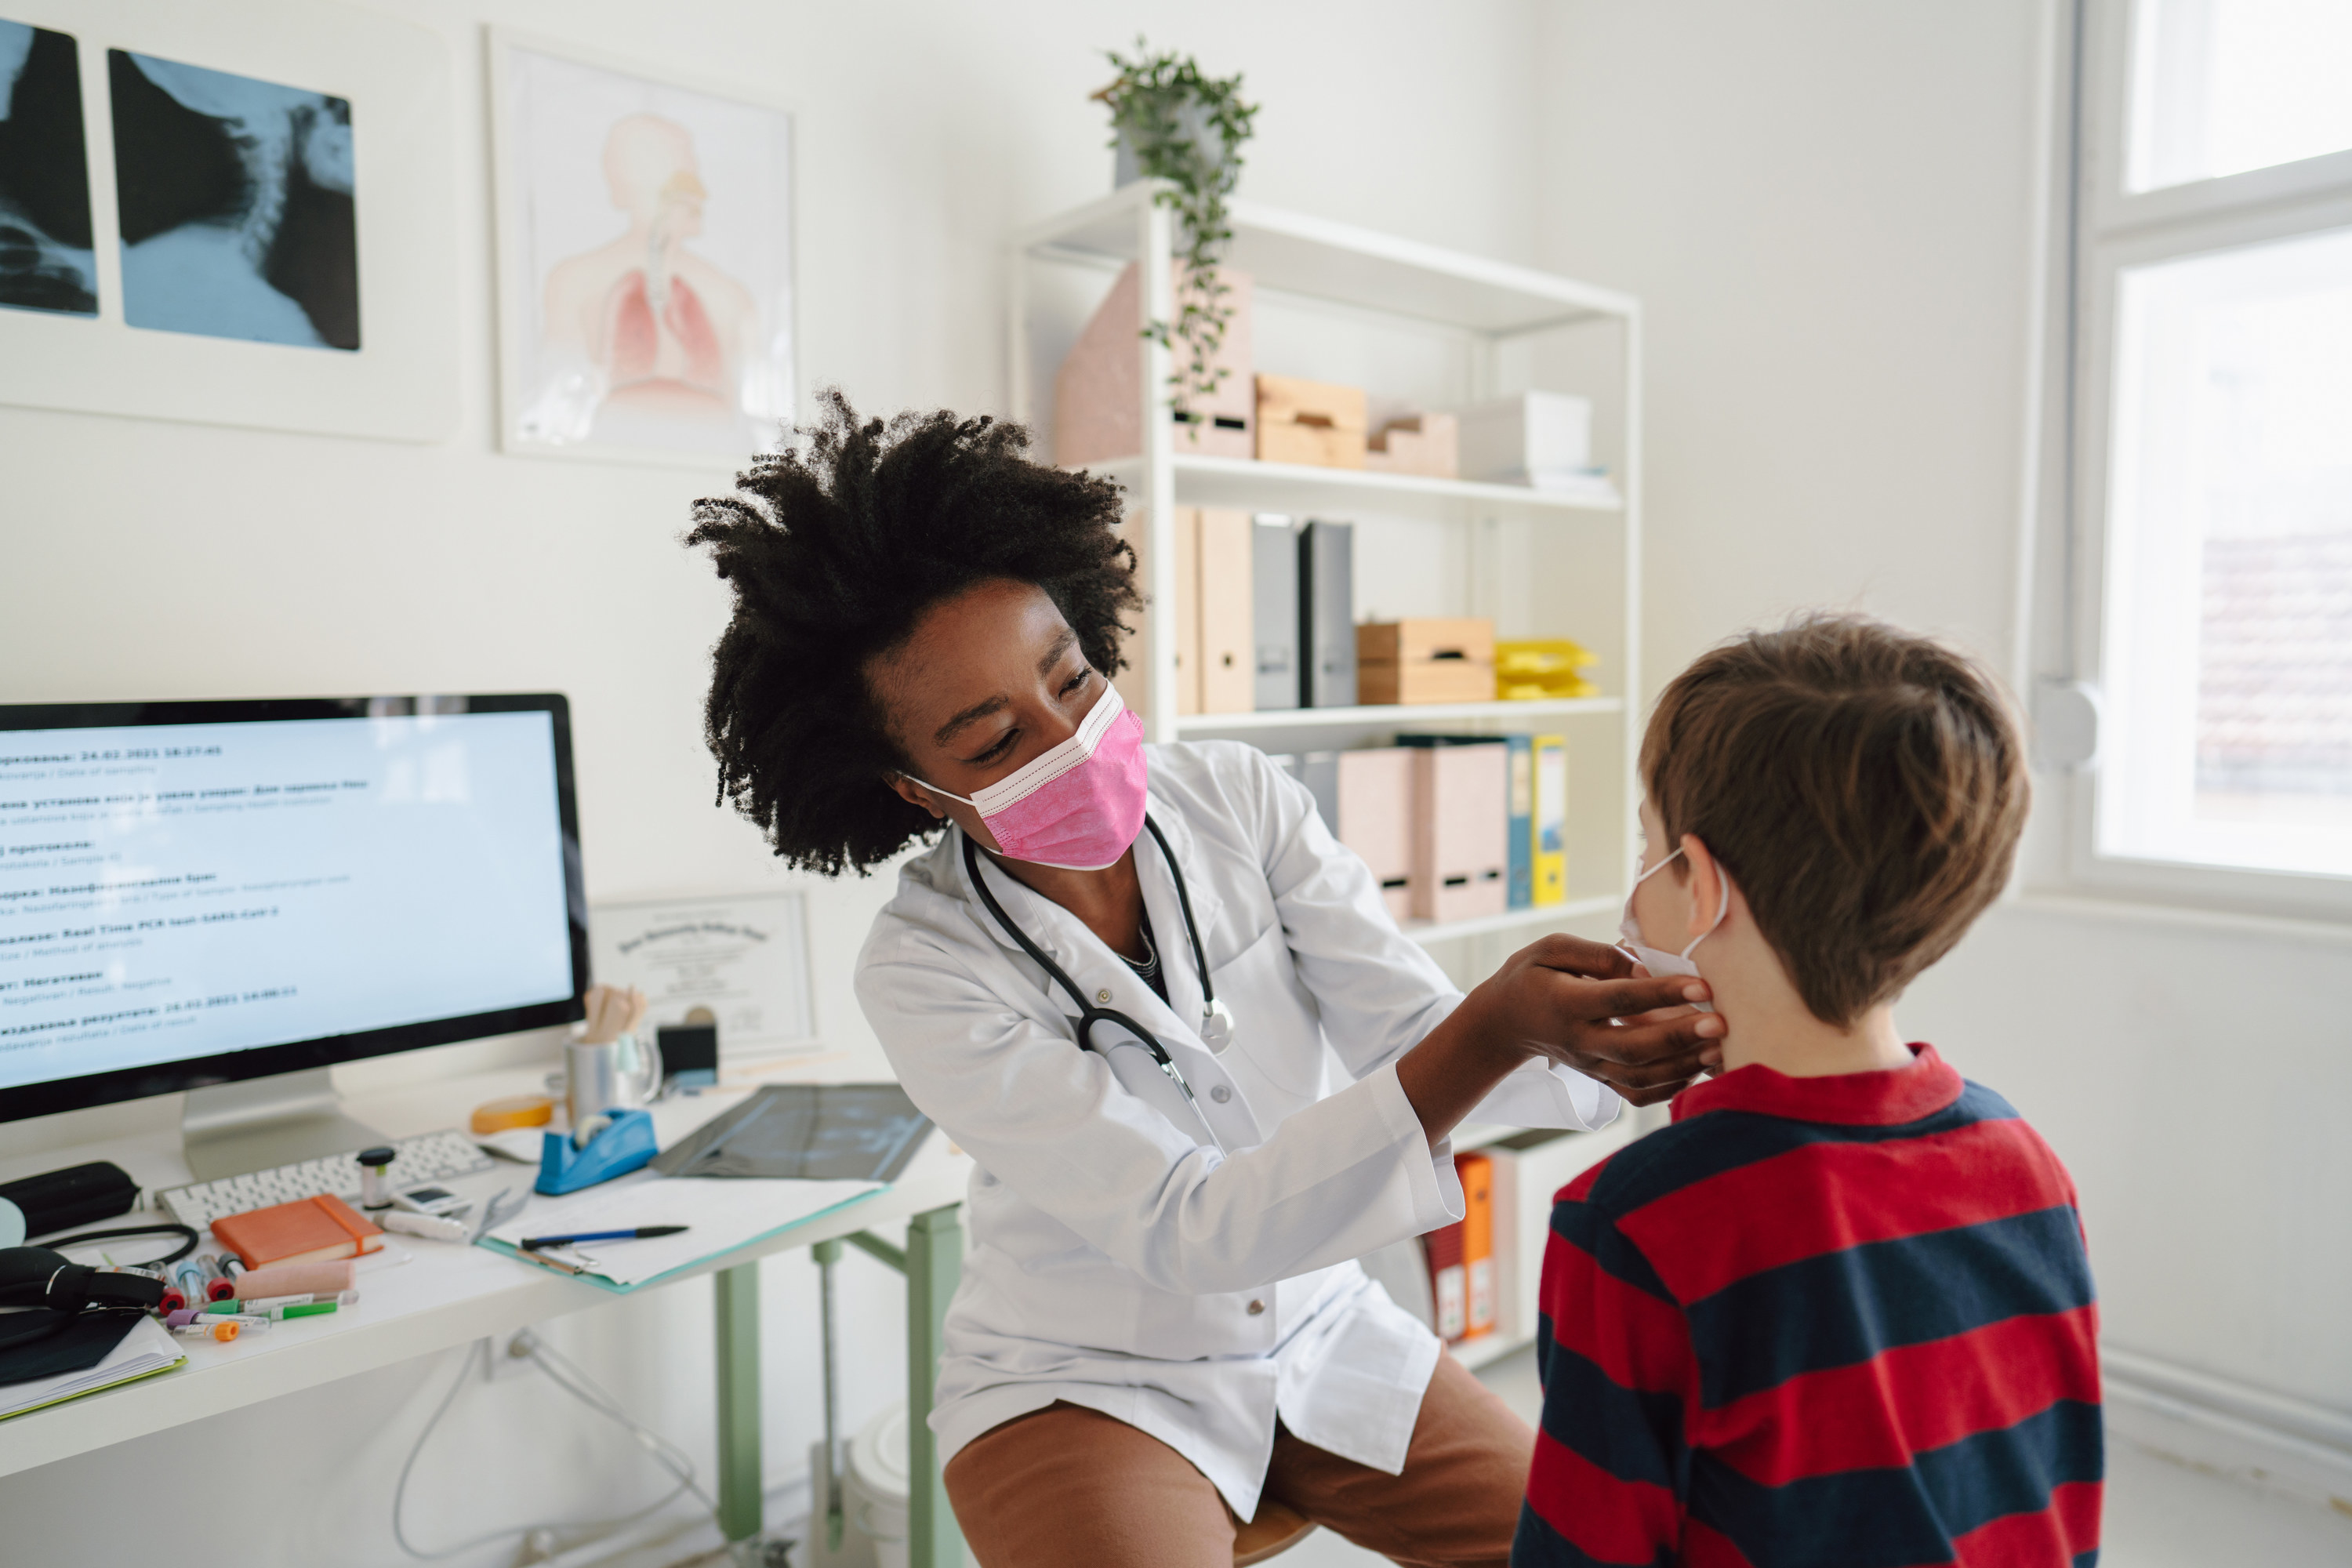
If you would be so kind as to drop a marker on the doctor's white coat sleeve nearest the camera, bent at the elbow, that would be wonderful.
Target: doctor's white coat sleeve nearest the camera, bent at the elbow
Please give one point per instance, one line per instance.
(1339, 1179)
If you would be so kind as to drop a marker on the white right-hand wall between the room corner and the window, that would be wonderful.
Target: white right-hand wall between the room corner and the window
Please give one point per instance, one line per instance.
(1829, 208)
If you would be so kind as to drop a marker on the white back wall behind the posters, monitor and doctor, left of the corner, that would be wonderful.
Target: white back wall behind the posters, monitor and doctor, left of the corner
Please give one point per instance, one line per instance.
(149, 561)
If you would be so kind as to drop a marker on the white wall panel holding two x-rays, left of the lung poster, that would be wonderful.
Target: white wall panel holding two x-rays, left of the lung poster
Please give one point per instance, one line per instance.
(229, 215)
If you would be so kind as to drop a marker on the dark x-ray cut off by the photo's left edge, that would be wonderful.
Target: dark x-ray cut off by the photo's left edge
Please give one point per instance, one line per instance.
(46, 250)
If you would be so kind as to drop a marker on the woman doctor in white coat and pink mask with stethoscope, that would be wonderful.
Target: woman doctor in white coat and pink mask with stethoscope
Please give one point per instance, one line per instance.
(1194, 1059)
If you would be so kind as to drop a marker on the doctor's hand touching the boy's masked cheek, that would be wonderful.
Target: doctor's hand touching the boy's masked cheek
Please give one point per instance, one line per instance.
(1593, 1010)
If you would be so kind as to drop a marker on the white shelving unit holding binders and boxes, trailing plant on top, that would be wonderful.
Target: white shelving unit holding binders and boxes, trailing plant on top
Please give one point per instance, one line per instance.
(1382, 281)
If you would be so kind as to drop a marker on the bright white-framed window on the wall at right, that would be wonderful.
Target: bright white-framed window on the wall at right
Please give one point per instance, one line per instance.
(2214, 448)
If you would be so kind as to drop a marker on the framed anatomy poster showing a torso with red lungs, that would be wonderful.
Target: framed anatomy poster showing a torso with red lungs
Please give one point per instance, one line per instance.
(646, 262)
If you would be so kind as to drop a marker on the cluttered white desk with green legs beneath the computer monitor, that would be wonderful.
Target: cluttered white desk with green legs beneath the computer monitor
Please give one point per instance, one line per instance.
(460, 1294)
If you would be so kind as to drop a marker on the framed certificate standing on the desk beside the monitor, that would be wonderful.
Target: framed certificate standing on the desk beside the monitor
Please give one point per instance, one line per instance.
(740, 963)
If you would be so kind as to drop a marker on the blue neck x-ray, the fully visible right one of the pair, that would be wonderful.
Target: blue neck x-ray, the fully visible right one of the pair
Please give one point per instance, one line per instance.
(236, 206)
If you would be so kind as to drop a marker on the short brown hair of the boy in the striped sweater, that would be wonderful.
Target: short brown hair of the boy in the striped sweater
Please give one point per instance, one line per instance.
(1866, 791)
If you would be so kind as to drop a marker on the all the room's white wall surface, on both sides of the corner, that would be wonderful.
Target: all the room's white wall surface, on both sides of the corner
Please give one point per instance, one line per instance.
(1824, 203)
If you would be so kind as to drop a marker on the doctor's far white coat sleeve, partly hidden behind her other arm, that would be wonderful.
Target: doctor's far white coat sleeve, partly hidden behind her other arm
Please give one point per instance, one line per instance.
(1382, 991)
